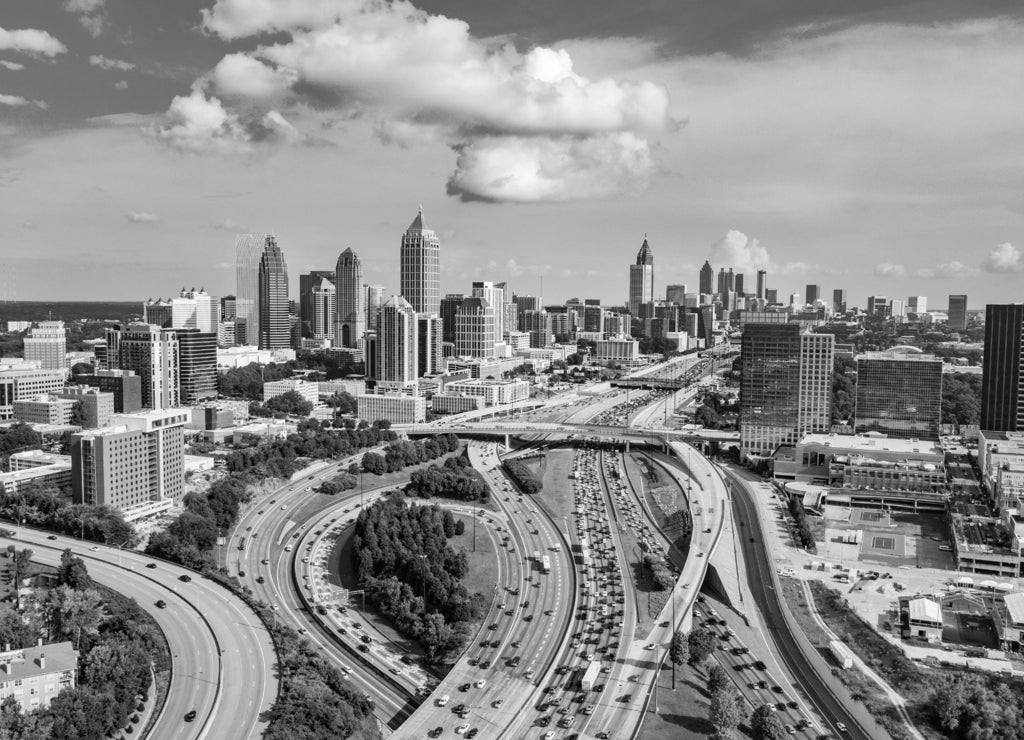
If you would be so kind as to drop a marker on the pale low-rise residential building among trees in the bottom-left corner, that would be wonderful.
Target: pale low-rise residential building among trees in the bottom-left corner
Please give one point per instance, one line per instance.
(34, 676)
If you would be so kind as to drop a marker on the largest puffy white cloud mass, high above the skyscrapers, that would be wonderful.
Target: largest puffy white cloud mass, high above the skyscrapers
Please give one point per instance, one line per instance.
(525, 126)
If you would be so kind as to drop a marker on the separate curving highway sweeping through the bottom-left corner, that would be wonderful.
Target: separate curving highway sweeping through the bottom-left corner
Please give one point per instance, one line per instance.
(223, 660)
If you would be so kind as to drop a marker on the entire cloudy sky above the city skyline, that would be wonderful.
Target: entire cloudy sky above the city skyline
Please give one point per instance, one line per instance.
(873, 146)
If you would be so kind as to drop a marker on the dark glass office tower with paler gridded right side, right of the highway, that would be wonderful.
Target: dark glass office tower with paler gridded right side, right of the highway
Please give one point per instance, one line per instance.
(786, 386)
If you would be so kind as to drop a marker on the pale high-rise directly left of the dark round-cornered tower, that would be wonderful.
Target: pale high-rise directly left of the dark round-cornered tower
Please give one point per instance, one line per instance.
(153, 354)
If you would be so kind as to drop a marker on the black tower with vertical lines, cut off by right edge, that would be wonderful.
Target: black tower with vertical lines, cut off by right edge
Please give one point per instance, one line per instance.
(1003, 379)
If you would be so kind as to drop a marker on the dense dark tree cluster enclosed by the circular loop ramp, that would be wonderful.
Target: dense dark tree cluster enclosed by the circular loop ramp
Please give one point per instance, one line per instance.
(411, 573)
